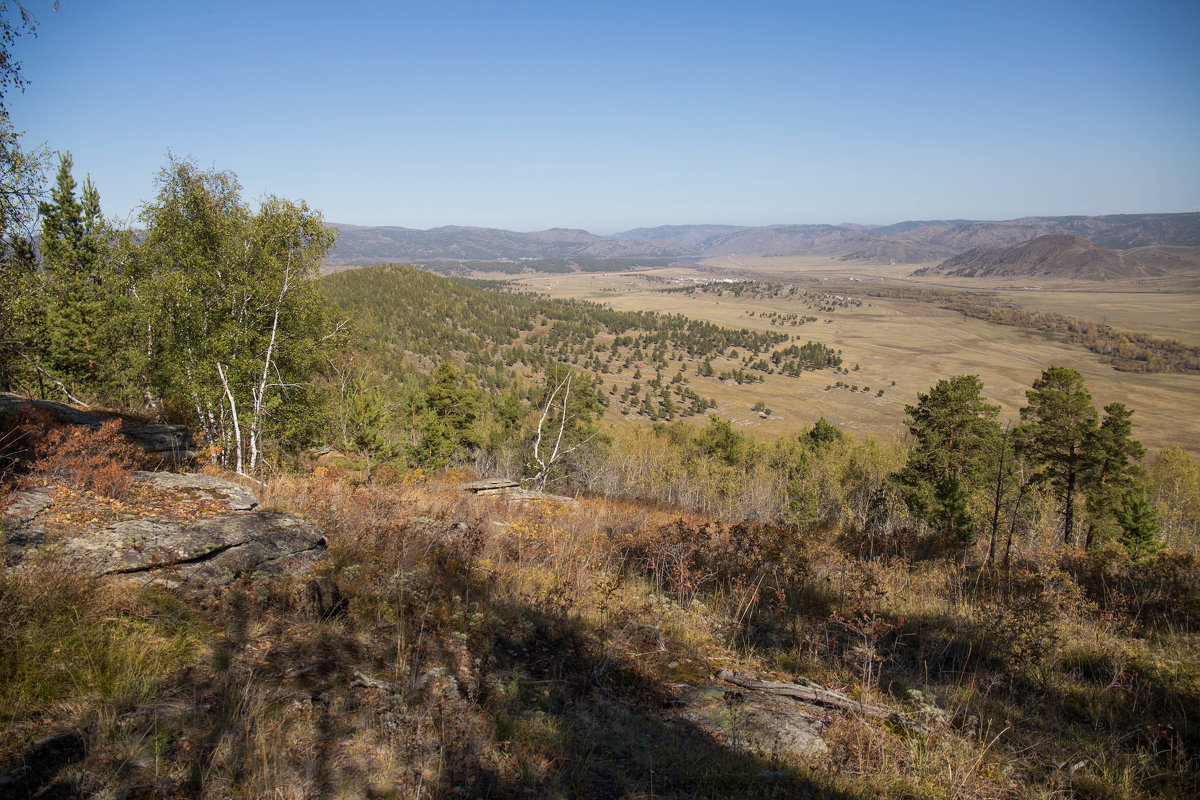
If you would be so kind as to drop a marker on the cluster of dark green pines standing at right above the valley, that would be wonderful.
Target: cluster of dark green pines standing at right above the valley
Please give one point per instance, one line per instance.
(1091, 466)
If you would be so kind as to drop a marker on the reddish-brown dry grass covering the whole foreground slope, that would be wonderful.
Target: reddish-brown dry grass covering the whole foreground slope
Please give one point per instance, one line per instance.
(535, 651)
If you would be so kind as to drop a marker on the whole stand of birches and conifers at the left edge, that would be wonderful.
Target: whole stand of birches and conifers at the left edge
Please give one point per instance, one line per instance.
(207, 314)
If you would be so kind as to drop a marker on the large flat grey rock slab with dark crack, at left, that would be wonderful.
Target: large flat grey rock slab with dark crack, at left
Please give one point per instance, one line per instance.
(218, 551)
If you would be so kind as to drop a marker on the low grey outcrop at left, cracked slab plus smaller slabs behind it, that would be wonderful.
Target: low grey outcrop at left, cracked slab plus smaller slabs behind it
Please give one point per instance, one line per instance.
(218, 550)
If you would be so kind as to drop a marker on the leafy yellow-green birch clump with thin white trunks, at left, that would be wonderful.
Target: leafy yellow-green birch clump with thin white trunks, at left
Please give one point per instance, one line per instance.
(237, 327)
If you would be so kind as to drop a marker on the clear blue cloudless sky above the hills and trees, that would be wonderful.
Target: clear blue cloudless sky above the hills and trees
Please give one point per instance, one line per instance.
(611, 116)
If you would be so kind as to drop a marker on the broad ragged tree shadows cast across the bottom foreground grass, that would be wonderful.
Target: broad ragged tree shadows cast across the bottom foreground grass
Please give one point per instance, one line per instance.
(555, 715)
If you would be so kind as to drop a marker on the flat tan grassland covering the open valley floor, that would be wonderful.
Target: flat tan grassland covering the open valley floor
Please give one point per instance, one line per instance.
(911, 344)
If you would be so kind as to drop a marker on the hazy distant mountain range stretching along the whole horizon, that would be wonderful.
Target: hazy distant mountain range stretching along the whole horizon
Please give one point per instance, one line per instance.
(905, 243)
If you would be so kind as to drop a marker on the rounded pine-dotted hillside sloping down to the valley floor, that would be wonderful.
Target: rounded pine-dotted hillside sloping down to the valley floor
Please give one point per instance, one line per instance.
(412, 321)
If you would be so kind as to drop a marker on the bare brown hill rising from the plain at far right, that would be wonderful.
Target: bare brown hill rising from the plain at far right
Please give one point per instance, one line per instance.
(1065, 256)
